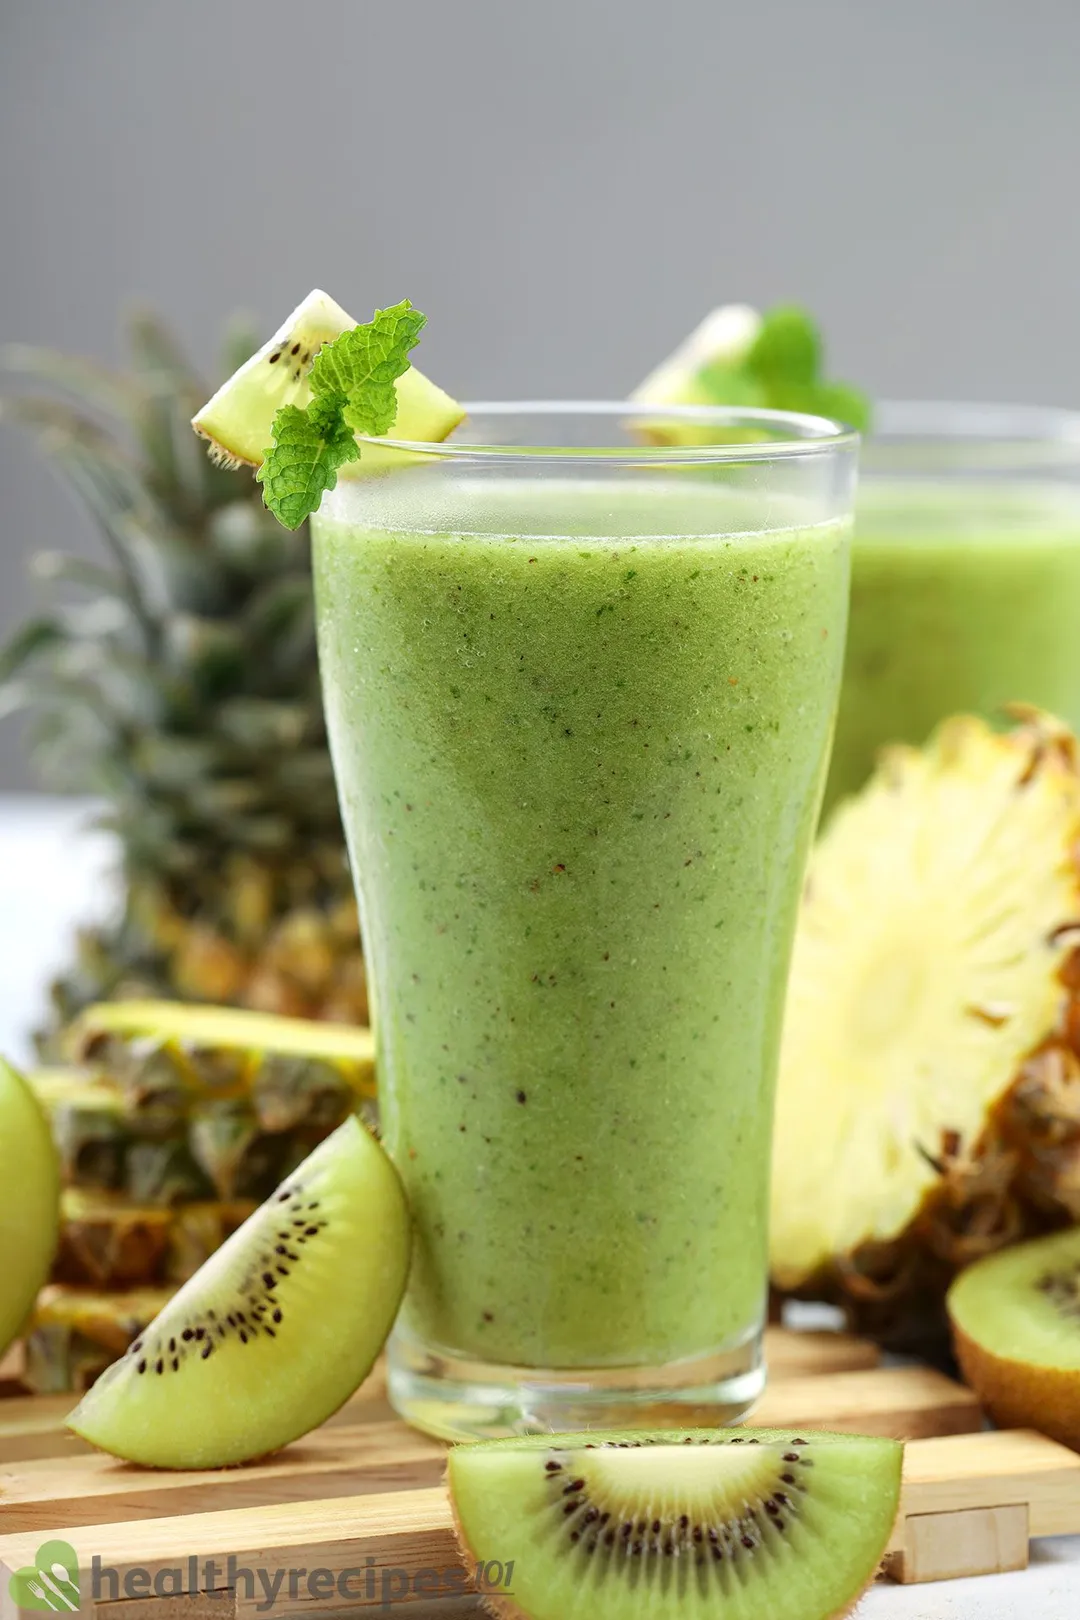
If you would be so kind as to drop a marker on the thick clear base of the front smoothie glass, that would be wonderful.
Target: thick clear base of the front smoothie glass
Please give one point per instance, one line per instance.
(457, 1399)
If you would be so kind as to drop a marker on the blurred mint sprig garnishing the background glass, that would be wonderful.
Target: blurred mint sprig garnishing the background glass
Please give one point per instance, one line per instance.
(783, 370)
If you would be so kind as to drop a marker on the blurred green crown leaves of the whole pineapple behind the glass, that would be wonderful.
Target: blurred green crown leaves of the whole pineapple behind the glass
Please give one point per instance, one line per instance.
(193, 644)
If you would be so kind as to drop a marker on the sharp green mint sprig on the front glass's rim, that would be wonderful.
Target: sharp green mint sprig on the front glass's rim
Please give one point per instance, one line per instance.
(352, 391)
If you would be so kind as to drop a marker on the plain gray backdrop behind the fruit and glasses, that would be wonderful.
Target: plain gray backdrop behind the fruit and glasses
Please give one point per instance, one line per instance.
(563, 185)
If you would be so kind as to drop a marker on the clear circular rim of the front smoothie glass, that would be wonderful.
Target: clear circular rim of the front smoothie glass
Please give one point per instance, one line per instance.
(797, 435)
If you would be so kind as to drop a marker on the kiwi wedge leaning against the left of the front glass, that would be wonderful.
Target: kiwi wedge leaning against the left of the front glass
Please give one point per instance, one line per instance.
(276, 1331)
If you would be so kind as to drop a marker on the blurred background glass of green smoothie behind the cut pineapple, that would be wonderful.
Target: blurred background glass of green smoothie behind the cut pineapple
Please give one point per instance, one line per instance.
(966, 576)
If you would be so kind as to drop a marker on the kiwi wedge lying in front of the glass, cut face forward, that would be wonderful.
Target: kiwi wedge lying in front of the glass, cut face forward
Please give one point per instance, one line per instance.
(746, 1524)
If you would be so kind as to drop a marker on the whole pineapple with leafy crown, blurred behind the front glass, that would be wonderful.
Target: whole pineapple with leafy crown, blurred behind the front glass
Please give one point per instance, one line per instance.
(179, 684)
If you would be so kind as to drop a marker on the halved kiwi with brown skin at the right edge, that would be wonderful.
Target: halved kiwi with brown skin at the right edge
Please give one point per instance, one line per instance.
(1016, 1328)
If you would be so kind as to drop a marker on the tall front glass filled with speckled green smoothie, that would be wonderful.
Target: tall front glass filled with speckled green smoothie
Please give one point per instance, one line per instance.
(580, 689)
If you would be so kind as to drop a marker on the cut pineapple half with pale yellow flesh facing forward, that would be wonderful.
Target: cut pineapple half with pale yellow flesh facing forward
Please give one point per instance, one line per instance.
(929, 1104)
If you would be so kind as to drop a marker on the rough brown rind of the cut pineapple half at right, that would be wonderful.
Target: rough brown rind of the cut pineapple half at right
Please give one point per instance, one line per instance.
(1019, 1177)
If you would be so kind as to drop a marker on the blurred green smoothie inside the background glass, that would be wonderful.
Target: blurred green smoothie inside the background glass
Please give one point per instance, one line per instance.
(966, 597)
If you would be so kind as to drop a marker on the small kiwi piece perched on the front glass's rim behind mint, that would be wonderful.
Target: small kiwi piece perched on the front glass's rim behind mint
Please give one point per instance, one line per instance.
(240, 417)
